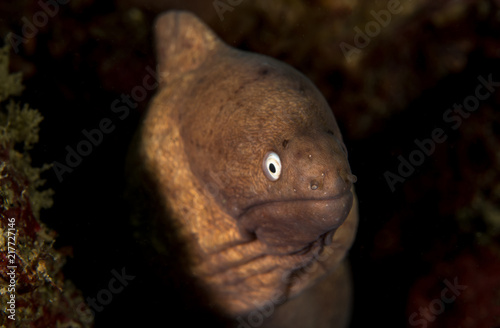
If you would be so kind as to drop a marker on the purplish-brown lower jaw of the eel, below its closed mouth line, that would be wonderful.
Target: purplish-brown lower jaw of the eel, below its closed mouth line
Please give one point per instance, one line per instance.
(288, 226)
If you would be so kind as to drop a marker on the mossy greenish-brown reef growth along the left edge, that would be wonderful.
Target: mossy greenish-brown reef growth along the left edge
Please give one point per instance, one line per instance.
(42, 296)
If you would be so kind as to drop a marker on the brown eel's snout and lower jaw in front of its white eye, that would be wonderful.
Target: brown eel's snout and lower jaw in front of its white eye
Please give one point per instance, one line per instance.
(316, 203)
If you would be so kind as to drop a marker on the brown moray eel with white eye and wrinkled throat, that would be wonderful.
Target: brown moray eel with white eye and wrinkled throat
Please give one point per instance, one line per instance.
(249, 166)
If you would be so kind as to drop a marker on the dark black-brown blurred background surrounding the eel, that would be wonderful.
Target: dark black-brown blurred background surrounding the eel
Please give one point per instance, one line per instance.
(442, 222)
